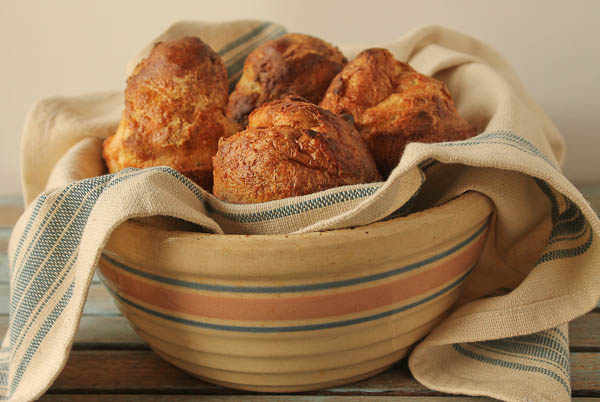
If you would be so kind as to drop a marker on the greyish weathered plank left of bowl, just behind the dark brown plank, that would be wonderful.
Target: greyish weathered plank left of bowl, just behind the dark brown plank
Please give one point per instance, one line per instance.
(99, 332)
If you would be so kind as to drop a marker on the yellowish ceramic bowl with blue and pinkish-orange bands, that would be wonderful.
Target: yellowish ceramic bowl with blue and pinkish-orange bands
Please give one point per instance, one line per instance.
(285, 313)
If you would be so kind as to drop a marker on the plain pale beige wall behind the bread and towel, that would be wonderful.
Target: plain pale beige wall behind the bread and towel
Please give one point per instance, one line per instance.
(70, 47)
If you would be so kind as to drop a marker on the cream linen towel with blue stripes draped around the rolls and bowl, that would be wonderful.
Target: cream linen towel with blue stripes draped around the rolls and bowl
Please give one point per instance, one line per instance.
(508, 339)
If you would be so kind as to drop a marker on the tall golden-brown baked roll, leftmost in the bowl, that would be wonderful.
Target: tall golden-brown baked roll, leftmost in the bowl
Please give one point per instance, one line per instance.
(174, 114)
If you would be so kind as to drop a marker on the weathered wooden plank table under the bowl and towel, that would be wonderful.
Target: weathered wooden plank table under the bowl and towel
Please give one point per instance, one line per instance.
(109, 362)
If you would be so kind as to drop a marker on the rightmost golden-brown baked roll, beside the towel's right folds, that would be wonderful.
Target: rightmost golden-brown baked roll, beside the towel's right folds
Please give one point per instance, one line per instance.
(392, 105)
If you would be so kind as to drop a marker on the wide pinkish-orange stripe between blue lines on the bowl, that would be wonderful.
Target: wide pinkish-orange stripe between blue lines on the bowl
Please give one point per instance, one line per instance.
(296, 307)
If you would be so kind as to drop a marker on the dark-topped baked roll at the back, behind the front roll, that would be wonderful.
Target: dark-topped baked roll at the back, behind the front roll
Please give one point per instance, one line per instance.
(294, 64)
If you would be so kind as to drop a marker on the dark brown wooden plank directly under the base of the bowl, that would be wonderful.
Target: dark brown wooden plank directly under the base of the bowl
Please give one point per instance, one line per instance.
(102, 371)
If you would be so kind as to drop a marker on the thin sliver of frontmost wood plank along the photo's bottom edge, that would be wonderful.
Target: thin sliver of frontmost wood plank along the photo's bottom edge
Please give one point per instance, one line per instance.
(259, 398)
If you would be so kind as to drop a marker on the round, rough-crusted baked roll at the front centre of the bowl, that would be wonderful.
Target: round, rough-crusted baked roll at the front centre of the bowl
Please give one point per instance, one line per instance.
(290, 148)
